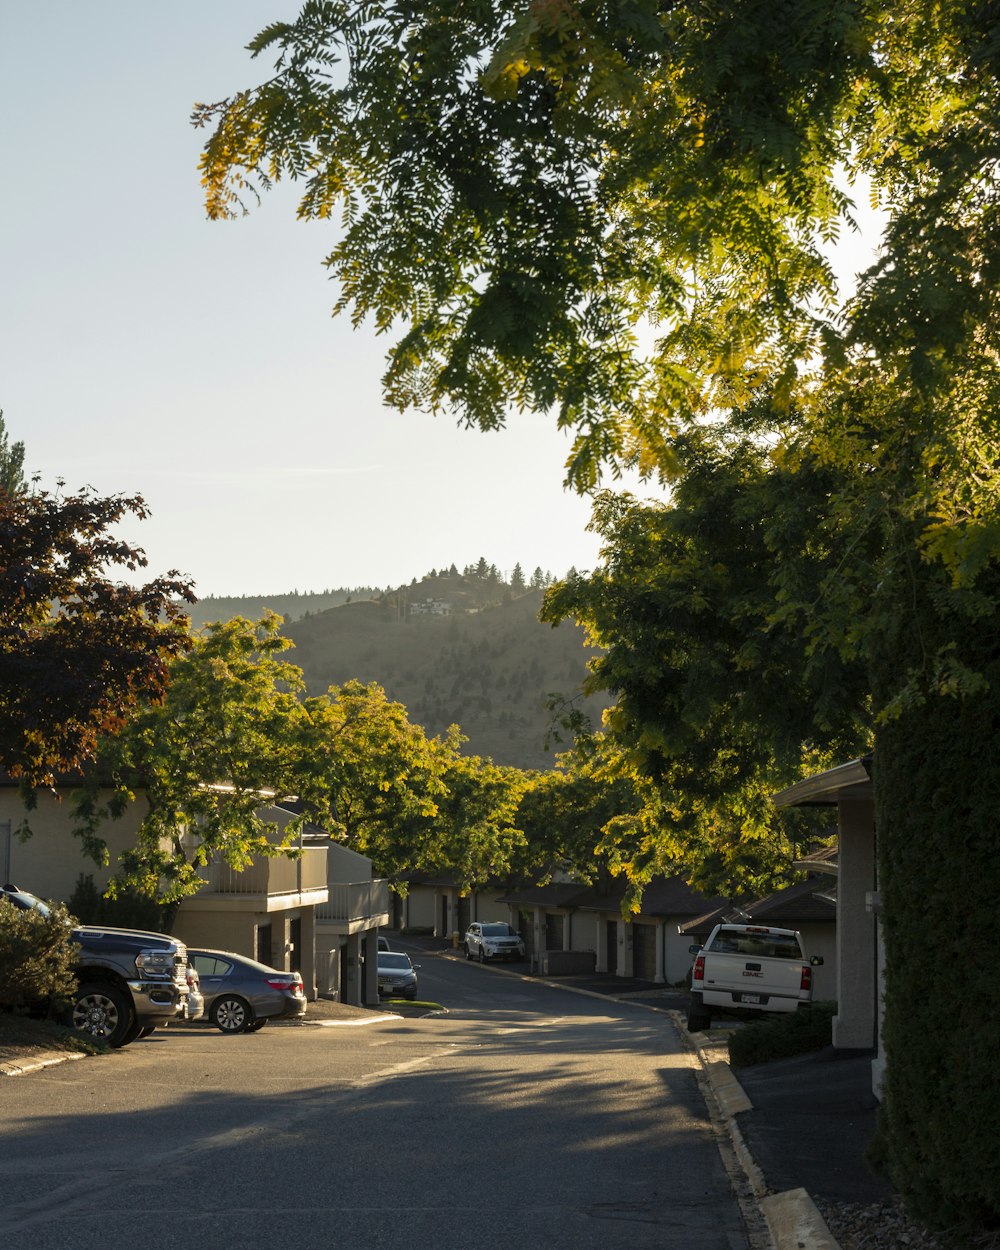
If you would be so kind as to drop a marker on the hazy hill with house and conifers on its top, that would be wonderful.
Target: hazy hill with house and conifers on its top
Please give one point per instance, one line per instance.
(487, 669)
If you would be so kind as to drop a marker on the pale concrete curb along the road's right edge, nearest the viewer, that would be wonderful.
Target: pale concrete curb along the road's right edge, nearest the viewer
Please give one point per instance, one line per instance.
(793, 1219)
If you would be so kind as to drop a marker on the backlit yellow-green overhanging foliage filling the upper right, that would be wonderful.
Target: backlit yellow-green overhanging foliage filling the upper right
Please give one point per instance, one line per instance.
(618, 211)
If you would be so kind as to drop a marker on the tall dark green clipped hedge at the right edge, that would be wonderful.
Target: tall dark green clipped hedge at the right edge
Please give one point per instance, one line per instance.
(938, 793)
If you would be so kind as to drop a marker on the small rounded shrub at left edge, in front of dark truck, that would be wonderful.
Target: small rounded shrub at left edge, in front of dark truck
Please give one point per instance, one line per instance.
(37, 957)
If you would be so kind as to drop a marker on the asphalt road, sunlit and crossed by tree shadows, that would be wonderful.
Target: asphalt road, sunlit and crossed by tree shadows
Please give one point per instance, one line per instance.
(526, 1117)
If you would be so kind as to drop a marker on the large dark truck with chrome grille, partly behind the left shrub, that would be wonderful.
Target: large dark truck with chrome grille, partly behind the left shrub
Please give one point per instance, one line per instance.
(128, 981)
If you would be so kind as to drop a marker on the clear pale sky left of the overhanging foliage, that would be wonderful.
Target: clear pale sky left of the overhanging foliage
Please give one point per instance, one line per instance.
(146, 349)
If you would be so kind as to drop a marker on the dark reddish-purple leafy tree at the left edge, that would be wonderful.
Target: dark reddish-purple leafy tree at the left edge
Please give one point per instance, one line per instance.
(81, 651)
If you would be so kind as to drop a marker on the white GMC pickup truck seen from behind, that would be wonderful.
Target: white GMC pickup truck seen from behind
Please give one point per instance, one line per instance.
(749, 969)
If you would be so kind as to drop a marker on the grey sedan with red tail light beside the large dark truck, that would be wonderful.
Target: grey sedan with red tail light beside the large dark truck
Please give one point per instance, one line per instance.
(242, 996)
